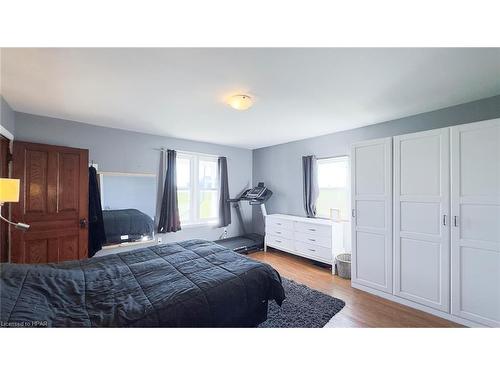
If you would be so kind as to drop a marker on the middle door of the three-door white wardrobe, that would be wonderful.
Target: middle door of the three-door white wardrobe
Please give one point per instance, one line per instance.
(421, 218)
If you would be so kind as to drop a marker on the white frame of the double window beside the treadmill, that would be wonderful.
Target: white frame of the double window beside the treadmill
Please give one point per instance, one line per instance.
(194, 190)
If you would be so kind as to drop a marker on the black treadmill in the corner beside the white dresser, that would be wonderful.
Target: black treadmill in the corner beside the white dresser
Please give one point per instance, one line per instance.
(256, 196)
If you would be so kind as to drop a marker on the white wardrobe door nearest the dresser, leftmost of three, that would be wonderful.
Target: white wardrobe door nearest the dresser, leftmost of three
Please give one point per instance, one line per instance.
(371, 174)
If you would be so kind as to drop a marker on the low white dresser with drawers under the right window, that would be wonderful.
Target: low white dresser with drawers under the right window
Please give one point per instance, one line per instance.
(316, 239)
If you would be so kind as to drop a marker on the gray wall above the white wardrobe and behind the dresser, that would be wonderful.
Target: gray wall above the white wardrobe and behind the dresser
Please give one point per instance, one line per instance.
(280, 166)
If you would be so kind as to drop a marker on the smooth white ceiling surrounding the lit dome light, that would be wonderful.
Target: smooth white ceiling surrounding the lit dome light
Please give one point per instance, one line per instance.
(300, 93)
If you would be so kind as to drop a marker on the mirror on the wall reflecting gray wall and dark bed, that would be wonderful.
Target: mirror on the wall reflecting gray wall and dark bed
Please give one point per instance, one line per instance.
(128, 203)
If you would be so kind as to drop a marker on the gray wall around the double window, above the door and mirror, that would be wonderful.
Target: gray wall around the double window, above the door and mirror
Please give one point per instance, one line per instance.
(123, 151)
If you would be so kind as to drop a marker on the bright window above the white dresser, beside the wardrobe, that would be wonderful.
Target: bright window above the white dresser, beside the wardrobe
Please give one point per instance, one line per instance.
(333, 187)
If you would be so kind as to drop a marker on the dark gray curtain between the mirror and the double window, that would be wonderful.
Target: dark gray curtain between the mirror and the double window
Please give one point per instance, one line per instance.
(169, 214)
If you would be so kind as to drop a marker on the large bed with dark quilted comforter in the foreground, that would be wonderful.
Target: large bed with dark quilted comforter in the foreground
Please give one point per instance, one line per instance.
(194, 283)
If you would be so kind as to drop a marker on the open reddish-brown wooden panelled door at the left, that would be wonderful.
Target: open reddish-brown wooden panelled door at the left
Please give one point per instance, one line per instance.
(53, 201)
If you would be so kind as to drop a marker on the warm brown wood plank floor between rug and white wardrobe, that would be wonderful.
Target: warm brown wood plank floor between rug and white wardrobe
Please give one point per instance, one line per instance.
(362, 309)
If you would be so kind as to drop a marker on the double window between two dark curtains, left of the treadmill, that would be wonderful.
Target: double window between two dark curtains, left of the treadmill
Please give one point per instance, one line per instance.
(197, 188)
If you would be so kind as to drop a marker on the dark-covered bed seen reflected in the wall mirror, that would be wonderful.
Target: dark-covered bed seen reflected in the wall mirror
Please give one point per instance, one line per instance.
(126, 225)
